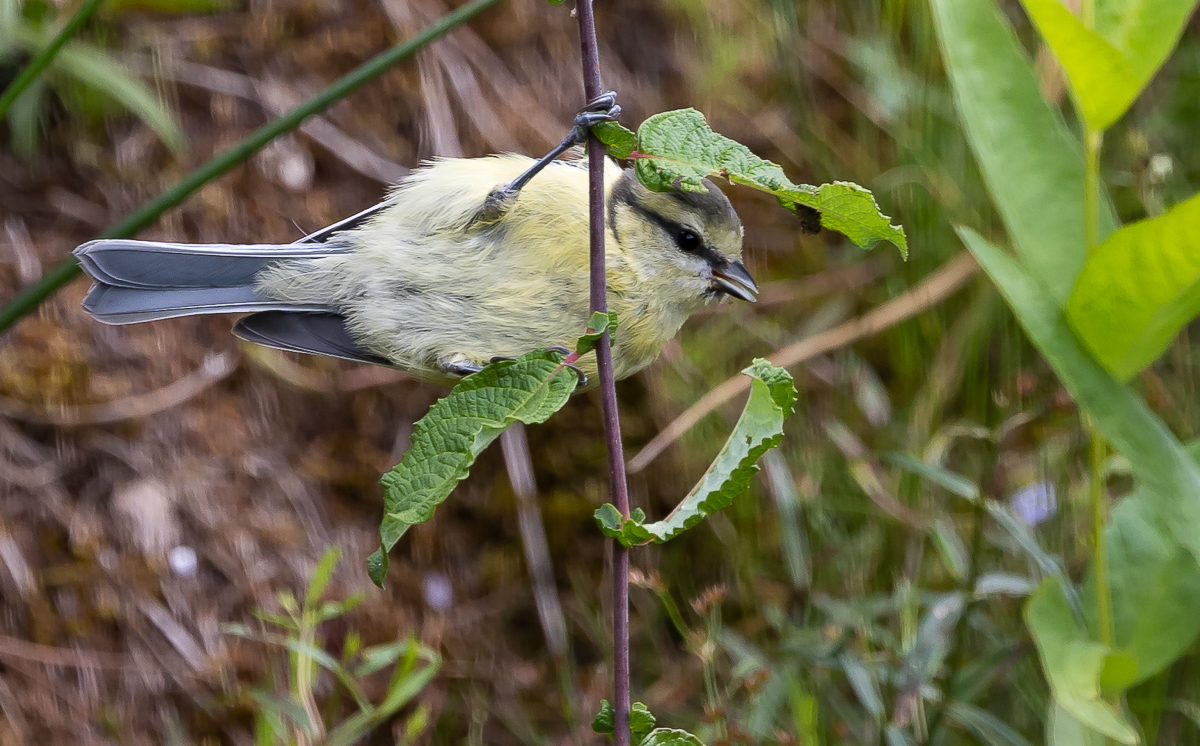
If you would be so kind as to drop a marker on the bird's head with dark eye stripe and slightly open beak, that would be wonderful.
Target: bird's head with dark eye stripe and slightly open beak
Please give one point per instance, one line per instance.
(686, 245)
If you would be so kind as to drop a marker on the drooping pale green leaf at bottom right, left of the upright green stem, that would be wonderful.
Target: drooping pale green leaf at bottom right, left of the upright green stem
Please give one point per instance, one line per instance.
(1073, 663)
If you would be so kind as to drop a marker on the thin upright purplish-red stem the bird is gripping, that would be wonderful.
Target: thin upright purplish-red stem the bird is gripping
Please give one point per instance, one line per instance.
(592, 89)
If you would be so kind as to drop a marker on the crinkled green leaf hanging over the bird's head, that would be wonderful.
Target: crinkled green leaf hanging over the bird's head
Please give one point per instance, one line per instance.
(679, 151)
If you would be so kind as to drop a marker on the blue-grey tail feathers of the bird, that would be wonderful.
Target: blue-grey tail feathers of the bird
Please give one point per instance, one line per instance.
(146, 281)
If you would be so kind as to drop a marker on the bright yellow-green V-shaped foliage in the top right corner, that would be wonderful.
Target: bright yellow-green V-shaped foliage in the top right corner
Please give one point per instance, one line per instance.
(1109, 67)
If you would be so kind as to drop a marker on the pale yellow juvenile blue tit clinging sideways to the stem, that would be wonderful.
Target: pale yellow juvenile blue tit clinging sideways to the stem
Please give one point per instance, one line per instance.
(436, 284)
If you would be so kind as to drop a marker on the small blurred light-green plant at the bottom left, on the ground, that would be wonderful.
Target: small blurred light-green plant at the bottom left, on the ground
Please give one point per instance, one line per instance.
(280, 719)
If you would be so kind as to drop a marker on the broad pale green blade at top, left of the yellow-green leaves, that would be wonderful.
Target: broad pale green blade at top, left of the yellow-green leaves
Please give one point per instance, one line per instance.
(1033, 165)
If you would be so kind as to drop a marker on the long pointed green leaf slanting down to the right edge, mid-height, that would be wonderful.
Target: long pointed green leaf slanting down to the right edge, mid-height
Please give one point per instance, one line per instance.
(1159, 461)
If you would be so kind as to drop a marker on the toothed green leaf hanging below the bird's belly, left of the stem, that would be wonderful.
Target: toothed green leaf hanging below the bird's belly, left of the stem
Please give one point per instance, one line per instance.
(458, 429)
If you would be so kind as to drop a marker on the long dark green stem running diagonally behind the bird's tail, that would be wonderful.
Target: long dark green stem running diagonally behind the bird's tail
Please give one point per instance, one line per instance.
(32, 297)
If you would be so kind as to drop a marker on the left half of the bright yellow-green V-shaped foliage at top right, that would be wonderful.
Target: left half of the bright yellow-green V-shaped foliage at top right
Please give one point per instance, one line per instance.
(1101, 80)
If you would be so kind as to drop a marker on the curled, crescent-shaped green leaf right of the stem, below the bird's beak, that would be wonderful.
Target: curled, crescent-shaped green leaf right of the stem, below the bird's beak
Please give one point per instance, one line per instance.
(759, 430)
